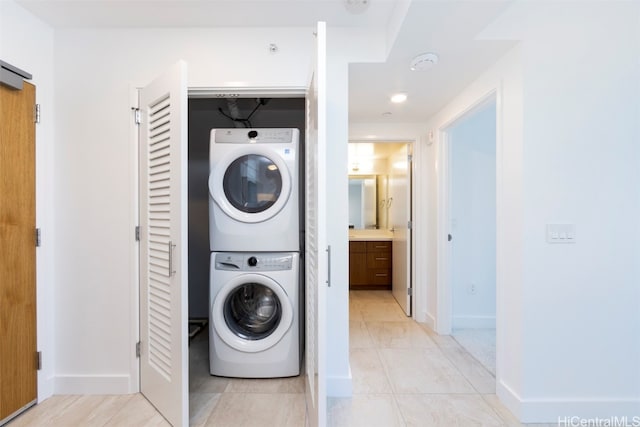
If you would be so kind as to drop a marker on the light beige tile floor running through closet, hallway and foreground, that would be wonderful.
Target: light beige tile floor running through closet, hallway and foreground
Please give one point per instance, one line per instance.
(403, 375)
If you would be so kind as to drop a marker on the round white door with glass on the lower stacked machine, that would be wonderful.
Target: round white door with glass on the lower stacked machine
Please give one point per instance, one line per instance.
(251, 313)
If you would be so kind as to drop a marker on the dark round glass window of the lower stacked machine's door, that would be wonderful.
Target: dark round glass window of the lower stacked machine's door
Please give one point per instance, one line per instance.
(252, 311)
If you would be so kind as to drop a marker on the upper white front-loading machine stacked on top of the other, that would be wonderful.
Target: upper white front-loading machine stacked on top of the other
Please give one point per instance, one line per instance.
(253, 190)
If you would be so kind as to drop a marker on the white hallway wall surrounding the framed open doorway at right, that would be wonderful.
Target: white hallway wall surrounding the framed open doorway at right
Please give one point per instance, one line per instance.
(505, 80)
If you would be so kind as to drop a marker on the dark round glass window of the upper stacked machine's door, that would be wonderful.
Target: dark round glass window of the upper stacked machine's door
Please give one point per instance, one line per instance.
(252, 183)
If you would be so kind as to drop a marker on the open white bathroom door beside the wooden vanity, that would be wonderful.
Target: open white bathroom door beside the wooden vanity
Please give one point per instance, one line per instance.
(400, 210)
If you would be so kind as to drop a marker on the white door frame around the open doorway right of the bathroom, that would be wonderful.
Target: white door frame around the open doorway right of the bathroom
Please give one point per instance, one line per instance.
(444, 301)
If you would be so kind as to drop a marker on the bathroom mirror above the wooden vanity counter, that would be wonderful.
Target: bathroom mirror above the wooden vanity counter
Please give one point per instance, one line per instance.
(368, 204)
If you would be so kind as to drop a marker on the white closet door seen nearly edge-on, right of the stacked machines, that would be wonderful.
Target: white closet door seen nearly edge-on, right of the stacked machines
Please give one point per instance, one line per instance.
(316, 251)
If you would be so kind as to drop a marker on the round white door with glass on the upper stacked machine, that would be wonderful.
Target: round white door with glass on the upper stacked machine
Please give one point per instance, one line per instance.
(252, 184)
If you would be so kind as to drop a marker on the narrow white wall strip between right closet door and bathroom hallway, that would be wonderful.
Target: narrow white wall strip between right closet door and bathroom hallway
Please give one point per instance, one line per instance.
(360, 48)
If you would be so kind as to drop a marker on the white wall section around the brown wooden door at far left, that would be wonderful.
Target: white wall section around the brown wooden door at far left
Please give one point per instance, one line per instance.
(27, 43)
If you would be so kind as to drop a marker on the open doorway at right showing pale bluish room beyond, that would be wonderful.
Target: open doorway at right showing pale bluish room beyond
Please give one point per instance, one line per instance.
(470, 221)
